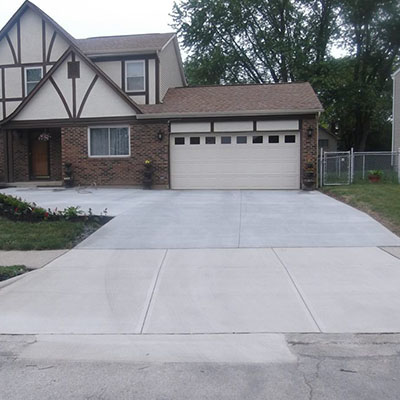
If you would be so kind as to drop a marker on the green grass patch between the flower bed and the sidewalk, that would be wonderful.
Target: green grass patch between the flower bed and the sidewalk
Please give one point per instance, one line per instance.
(46, 235)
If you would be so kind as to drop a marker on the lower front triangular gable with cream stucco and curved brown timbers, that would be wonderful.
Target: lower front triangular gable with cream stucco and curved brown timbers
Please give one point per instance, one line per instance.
(59, 97)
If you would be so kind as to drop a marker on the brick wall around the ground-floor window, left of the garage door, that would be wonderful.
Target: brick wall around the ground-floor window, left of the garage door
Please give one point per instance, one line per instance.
(117, 171)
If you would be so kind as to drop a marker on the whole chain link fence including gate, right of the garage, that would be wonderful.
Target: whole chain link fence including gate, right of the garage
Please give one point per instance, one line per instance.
(346, 167)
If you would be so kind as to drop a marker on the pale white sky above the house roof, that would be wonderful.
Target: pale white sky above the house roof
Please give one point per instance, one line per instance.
(88, 18)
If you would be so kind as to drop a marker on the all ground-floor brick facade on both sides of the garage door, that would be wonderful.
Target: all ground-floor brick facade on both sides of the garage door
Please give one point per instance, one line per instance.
(70, 145)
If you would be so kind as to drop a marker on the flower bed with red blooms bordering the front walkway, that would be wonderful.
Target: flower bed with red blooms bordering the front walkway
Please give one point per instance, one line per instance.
(18, 210)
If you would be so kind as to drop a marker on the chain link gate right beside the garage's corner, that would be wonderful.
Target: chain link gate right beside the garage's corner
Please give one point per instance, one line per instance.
(336, 167)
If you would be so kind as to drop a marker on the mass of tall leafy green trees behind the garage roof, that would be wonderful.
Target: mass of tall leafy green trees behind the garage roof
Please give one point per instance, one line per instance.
(233, 41)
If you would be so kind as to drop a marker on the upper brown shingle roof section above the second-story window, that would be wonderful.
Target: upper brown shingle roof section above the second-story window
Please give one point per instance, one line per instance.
(126, 43)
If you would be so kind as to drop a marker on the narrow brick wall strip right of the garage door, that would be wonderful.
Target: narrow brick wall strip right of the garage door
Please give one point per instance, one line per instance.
(309, 149)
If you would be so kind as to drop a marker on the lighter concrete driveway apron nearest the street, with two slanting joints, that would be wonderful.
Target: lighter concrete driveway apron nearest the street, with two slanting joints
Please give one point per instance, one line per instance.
(214, 291)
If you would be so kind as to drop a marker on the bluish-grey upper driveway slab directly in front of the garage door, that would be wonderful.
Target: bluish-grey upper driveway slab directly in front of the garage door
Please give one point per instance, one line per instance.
(244, 219)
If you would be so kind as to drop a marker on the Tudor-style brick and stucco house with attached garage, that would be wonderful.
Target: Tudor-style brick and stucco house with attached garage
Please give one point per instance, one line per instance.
(107, 104)
